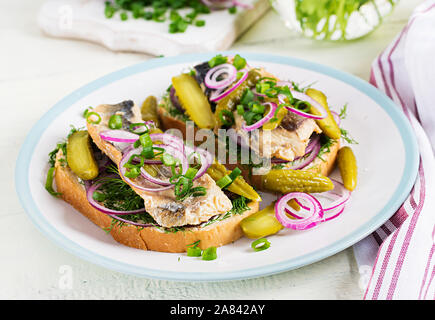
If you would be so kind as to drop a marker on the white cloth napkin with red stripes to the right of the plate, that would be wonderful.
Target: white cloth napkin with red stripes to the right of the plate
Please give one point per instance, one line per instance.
(398, 260)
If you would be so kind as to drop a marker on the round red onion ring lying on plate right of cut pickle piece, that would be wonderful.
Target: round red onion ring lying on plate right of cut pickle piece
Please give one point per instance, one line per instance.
(298, 224)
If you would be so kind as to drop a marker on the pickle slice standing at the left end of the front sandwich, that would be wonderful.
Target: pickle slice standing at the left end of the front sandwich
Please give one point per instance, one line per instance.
(80, 157)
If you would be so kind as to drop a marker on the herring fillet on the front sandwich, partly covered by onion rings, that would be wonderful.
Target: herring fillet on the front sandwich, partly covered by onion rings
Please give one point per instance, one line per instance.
(162, 206)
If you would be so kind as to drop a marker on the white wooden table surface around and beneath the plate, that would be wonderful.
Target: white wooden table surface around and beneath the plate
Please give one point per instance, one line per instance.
(36, 71)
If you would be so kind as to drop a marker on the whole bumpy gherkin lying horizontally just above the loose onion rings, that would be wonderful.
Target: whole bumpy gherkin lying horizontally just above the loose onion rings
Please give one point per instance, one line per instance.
(286, 180)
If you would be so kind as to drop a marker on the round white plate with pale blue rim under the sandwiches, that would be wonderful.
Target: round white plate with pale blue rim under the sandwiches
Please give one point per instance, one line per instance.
(387, 158)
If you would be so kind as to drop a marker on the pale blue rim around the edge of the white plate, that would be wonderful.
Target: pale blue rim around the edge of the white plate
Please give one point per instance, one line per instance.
(399, 195)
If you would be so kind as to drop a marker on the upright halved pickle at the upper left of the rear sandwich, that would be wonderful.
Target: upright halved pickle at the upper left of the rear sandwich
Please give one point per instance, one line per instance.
(193, 100)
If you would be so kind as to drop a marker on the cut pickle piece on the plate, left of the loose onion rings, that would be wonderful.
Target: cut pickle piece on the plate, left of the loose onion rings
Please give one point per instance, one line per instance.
(261, 223)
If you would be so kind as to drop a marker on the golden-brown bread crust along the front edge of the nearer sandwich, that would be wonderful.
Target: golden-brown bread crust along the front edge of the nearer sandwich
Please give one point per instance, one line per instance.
(150, 238)
